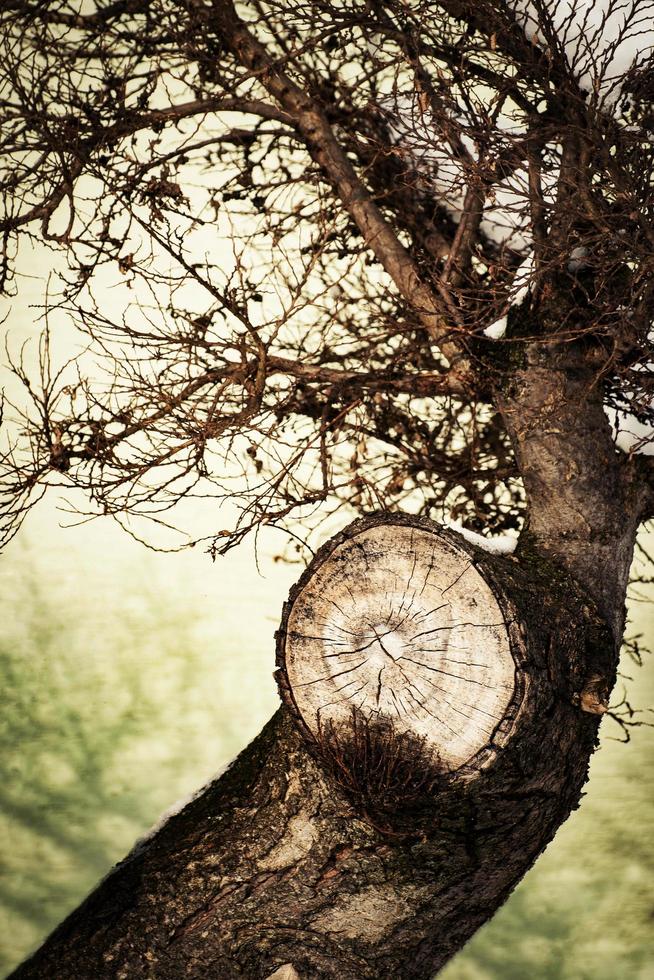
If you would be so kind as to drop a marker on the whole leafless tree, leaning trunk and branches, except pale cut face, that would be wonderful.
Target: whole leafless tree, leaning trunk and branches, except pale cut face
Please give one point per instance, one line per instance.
(440, 219)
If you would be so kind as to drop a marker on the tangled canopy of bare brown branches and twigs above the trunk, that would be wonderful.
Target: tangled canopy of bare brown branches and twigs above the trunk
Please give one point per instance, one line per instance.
(286, 228)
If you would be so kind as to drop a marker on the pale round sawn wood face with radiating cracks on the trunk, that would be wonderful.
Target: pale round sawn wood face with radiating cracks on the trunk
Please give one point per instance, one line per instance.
(398, 624)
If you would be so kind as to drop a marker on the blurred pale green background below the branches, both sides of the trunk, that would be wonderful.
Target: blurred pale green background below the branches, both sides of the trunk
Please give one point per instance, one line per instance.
(131, 677)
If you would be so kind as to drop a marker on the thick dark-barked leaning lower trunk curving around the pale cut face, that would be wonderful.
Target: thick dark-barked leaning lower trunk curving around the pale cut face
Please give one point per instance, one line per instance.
(280, 863)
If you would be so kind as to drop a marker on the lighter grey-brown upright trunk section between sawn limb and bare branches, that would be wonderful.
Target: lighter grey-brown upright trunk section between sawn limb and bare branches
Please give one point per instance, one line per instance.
(585, 498)
